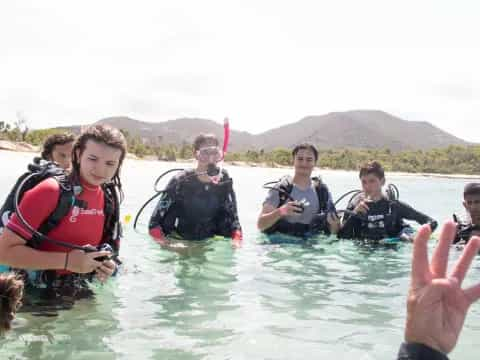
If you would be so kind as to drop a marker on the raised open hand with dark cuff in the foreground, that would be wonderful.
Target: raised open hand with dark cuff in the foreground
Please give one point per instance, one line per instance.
(437, 305)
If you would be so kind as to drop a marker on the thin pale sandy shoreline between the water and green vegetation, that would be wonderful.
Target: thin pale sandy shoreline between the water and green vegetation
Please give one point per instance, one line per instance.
(9, 146)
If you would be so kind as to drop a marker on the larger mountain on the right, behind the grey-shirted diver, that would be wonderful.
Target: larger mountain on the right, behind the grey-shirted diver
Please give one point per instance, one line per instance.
(360, 129)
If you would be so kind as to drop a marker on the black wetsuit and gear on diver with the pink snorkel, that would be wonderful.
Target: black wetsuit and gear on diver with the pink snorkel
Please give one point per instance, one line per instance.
(195, 210)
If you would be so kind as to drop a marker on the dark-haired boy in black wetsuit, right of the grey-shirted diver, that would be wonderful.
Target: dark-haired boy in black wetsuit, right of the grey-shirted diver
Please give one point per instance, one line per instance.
(372, 215)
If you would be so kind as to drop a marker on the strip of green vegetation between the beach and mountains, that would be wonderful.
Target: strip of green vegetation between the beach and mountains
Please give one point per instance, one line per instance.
(450, 160)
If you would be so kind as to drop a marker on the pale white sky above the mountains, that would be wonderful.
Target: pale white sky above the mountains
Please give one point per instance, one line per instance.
(262, 63)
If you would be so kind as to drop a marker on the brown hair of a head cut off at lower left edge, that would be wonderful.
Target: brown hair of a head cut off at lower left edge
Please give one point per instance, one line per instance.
(11, 293)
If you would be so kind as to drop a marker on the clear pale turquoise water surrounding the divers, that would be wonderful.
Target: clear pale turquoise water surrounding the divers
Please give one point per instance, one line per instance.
(262, 301)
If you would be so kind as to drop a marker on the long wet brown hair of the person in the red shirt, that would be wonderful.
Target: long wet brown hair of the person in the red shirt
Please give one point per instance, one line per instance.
(102, 134)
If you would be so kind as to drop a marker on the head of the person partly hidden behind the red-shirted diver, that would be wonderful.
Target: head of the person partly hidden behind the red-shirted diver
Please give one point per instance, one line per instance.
(58, 148)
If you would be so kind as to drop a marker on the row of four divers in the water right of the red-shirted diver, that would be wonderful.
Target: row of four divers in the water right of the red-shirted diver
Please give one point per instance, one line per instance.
(197, 207)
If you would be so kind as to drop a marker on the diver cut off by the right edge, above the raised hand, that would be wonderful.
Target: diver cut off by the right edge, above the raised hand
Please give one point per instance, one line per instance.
(471, 202)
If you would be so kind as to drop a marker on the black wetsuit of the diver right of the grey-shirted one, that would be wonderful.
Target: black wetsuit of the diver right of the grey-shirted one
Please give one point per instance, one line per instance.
(384, 219)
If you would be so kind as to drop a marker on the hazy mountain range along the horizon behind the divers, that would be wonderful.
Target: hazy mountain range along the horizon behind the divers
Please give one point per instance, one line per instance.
(350, 129)
